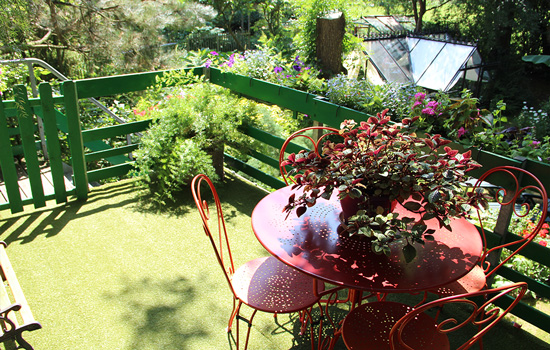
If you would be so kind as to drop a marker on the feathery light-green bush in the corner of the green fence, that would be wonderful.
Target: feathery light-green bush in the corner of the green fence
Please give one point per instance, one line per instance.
(191, 125)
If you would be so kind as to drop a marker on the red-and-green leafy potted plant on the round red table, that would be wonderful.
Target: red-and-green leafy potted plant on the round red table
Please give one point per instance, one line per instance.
(375, 164)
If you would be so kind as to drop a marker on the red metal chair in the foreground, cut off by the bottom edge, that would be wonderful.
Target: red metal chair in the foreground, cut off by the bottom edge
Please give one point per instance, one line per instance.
(387, 325)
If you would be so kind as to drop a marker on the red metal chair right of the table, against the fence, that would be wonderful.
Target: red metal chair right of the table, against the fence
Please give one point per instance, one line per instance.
(506, 196)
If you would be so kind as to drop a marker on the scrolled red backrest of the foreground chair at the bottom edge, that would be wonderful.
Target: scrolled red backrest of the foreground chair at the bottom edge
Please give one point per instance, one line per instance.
(476, 313)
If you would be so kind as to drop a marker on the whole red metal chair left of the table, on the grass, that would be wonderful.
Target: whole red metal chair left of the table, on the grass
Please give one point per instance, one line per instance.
(264, 284)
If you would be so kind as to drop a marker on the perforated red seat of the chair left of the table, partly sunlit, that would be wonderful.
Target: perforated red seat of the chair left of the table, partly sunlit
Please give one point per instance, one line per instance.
(269, 285)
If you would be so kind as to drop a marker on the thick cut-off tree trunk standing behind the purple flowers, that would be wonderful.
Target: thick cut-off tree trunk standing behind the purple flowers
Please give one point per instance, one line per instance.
(330, 35)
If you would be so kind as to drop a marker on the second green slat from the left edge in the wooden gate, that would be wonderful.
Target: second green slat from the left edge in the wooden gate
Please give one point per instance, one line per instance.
(26, 124)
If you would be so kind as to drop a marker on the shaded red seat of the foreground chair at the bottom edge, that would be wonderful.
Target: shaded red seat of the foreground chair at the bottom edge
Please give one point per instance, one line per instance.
(368, 326)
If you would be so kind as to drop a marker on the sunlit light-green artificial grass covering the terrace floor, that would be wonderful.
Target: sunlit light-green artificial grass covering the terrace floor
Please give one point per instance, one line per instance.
(111, 273)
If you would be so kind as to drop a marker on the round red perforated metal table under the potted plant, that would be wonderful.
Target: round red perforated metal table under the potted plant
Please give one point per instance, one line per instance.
(311, 244)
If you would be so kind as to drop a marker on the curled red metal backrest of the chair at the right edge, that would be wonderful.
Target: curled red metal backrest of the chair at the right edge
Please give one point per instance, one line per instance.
(510, 194)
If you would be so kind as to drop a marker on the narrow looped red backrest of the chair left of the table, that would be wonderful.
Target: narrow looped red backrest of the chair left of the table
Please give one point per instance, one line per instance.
(213, 222)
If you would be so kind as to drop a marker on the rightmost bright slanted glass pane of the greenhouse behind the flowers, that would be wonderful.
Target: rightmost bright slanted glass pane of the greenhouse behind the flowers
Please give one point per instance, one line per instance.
(443, 70)
